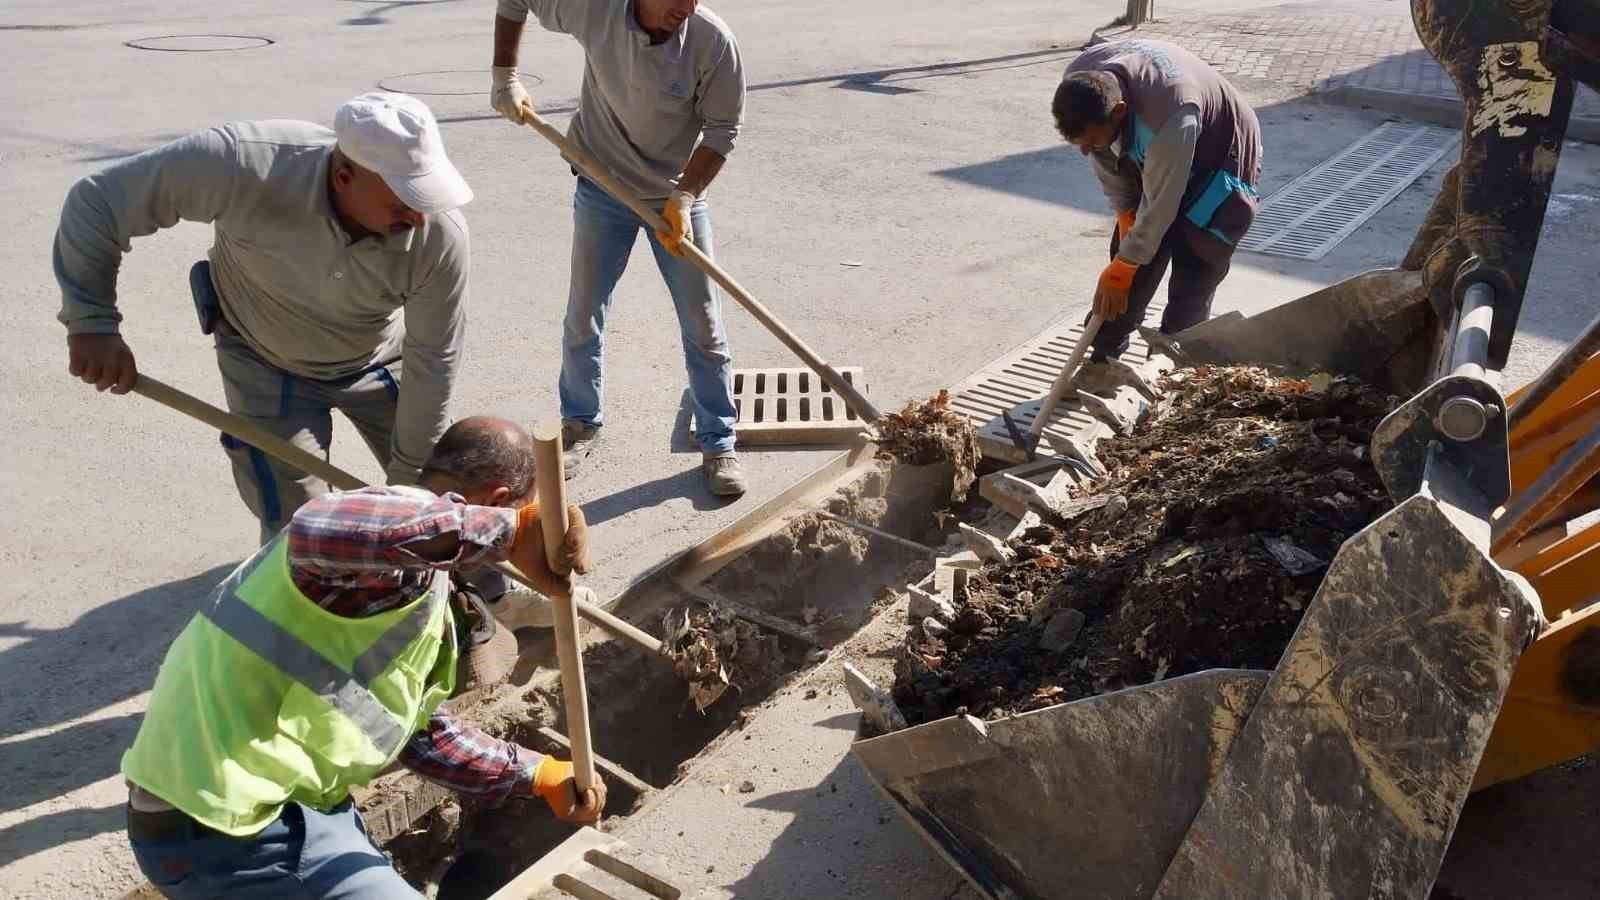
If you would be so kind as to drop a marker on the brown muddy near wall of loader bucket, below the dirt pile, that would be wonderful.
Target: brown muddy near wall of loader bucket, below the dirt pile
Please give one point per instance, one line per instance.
(1082, 800)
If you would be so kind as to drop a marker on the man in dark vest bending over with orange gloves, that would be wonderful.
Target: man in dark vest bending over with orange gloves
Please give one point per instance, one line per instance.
(1178, 153)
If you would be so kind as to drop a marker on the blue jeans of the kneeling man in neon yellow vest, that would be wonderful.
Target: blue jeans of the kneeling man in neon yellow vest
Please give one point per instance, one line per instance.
(303, 854)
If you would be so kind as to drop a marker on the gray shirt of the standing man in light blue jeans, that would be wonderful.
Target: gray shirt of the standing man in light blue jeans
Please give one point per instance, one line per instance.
(646, 106)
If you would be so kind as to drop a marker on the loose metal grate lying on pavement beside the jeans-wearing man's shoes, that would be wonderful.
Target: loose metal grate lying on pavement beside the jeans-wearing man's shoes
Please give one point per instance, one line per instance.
(793, 406)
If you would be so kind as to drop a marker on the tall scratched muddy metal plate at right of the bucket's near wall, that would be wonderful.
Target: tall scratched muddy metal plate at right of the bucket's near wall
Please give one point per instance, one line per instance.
(1353, 771)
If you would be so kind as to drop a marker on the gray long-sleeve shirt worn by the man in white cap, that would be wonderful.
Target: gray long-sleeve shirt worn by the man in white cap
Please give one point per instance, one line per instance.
(292, 283)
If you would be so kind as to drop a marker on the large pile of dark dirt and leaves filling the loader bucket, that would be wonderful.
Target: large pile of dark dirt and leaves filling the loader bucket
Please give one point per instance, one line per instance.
(1234, 497)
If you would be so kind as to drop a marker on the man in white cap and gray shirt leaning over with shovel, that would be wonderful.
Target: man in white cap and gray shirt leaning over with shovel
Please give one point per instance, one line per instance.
(337, 281)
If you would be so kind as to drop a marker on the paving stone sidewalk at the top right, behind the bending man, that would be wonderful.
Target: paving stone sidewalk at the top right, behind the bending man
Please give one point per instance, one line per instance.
(1361, 52)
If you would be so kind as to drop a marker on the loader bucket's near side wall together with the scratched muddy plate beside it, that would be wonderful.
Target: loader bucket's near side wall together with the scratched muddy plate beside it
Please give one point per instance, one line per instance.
(1340, 774)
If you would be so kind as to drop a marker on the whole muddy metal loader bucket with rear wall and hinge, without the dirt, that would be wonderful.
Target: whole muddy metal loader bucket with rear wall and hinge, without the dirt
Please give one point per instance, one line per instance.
(1345, 769)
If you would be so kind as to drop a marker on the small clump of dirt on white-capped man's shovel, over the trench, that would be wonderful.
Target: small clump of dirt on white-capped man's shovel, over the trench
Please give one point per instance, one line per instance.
(713, 649)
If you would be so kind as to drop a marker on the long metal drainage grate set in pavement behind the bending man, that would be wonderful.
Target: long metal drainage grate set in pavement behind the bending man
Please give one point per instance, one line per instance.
(1311, 215)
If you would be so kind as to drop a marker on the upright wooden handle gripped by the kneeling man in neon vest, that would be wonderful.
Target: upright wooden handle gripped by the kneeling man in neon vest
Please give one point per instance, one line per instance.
(553, 520)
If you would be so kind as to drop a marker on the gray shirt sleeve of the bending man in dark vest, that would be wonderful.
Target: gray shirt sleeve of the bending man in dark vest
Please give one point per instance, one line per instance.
(1158, 191)
